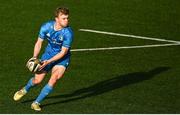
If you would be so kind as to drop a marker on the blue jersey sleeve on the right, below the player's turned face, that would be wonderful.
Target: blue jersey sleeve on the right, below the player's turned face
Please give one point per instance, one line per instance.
(68, 38)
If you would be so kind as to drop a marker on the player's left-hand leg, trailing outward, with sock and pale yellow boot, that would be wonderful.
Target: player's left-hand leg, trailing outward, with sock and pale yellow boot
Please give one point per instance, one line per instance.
(33, 81)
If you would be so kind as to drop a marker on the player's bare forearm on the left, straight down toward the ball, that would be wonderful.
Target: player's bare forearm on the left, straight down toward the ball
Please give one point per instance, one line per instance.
(37, 47)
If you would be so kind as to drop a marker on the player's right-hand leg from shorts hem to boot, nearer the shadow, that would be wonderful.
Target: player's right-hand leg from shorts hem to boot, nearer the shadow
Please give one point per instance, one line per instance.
(57, 73)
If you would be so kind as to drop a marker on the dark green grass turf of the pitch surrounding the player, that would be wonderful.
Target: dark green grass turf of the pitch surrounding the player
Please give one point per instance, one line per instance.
(144, 80)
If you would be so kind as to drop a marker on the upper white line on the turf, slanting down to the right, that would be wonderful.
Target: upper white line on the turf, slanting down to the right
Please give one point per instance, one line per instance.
(131, 36)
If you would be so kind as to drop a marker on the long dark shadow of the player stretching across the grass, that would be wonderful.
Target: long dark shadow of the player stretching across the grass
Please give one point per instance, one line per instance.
(106, 86)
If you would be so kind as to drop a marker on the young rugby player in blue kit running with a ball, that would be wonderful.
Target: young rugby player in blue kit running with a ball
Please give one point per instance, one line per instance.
(55, 58)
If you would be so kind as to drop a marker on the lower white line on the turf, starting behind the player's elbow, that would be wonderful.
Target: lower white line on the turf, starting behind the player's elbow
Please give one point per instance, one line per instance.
(123, 47)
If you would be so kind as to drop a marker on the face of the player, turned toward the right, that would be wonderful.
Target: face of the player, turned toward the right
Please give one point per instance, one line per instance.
(62, 20)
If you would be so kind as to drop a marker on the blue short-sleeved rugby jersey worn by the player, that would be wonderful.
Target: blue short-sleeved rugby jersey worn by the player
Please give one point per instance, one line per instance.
(56, 39)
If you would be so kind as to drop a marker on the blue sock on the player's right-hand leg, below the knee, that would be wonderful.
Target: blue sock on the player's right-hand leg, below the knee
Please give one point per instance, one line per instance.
(44, 92)
